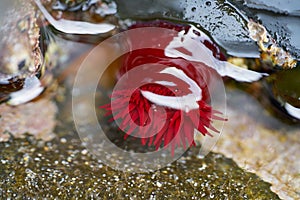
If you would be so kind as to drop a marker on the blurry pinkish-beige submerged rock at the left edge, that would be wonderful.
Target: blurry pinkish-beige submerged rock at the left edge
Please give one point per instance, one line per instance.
(34, 118)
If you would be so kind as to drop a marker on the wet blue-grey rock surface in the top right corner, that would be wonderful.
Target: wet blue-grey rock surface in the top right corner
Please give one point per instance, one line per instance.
(284, 28)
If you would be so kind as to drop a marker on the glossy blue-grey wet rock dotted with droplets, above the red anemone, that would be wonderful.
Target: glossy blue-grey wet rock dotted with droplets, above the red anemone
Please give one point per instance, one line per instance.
(220, 19)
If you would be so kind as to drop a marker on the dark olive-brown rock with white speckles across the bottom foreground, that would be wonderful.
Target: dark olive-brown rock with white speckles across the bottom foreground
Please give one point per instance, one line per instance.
(64, 169)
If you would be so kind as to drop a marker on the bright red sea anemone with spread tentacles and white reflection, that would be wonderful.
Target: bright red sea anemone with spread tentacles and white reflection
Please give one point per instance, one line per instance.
(172, 99)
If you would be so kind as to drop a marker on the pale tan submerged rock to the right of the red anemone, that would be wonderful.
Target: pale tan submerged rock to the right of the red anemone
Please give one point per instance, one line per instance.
(262, 144)
